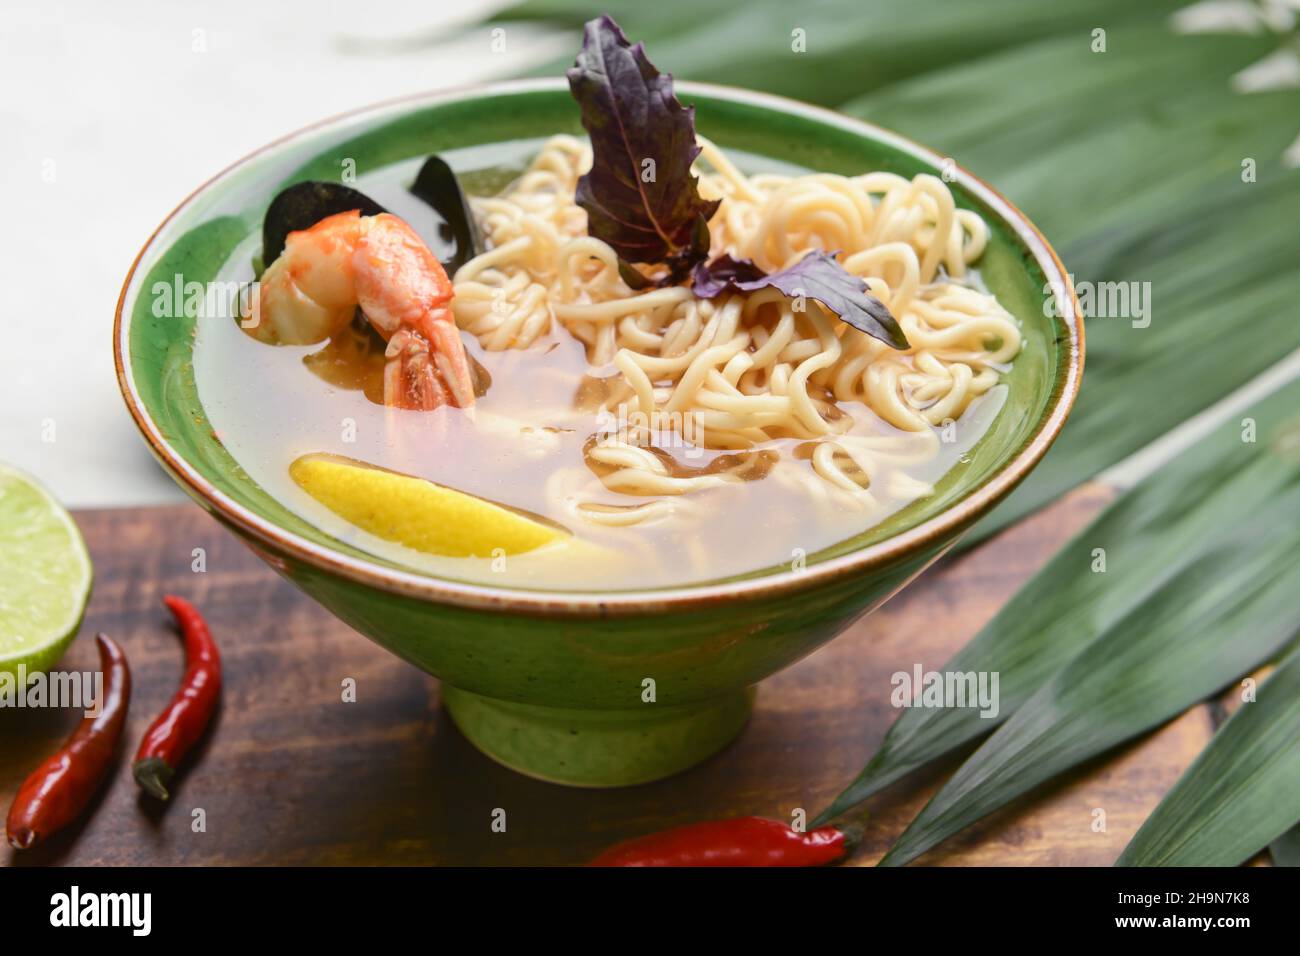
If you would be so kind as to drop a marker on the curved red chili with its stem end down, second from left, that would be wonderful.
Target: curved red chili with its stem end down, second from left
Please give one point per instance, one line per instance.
(181, 725)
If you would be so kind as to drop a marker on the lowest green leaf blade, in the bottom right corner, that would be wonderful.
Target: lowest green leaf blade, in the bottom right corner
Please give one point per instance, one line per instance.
(1242, 793)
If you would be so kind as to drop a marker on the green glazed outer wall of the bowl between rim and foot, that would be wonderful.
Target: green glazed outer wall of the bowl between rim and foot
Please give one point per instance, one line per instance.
(591, 663)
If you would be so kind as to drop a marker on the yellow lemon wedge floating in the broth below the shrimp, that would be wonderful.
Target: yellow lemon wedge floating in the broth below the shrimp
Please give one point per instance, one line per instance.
(418, 513)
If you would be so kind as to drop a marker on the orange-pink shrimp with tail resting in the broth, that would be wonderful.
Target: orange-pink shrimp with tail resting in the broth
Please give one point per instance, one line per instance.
(313, 291)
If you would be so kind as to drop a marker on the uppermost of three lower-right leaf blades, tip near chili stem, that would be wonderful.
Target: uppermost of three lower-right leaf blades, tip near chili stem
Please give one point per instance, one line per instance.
(1207, 525)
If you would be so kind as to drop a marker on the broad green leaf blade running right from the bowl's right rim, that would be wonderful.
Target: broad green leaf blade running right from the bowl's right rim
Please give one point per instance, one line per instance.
(1242, 285)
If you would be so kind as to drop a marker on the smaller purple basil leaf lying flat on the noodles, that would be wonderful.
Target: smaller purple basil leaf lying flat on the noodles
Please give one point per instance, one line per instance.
(816, 276)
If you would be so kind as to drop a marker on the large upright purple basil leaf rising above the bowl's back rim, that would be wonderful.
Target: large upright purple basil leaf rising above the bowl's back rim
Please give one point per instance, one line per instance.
(639, 132)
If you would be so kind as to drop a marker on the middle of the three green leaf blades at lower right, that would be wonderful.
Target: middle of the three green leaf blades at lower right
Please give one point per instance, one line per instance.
(1217, 611)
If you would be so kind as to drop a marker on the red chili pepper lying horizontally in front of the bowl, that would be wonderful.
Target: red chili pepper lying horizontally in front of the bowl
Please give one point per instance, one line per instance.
(743, 842)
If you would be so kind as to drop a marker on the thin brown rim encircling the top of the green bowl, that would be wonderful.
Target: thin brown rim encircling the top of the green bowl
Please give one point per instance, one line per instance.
(954, 521)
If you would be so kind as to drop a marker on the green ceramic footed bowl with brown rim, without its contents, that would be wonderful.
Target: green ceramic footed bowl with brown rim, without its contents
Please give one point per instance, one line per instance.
(556, 685)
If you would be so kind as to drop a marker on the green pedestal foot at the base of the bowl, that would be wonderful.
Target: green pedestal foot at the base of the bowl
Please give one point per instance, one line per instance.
(599, 749)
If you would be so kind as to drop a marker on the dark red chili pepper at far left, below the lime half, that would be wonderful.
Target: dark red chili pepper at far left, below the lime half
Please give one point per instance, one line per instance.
(62, 788)
